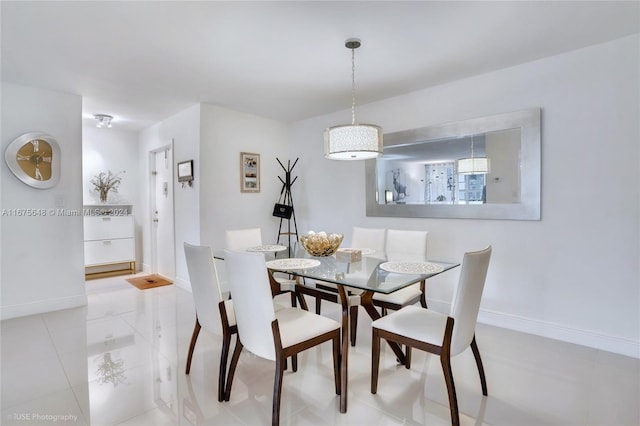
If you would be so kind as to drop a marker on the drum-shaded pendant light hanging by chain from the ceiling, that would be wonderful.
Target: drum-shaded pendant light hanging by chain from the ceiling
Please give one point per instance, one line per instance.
(353, 141)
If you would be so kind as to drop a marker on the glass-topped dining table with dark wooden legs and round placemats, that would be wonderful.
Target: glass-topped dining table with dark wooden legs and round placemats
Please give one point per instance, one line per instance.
(374, 273)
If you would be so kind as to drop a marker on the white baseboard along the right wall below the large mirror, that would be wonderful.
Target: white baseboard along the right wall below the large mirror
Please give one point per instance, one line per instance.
(619, 345)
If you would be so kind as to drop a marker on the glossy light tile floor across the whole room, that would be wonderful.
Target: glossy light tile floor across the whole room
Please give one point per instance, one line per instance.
(121, 359)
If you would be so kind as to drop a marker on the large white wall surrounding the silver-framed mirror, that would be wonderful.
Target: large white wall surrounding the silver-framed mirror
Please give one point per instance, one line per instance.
(574, 274)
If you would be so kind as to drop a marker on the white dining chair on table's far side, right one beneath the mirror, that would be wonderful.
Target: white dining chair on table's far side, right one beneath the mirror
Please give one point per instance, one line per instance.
(404, 245)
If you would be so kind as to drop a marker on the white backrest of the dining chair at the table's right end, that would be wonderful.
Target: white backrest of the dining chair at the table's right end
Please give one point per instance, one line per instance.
(466, 302)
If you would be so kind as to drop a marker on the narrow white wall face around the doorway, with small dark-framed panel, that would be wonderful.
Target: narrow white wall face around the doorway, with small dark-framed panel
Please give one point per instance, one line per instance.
(183, 131)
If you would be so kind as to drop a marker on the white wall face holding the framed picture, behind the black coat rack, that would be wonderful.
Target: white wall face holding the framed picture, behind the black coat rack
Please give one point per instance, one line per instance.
(225, 134)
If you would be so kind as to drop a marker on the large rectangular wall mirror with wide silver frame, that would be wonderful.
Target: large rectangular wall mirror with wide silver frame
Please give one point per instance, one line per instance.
(439, 171)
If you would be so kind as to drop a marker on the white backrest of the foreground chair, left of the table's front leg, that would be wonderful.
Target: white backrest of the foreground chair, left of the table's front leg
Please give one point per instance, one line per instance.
(252, 301)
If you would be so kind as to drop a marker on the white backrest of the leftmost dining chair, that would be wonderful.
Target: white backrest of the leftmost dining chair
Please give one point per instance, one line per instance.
(204, 285)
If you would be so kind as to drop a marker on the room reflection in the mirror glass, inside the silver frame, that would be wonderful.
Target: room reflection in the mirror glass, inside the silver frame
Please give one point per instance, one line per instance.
(427, 173)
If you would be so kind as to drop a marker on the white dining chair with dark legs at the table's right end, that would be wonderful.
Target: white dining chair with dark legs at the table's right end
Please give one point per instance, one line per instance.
(437, 333)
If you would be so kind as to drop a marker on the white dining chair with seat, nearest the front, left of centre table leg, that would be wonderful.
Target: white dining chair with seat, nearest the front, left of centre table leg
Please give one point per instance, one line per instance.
(270, 334)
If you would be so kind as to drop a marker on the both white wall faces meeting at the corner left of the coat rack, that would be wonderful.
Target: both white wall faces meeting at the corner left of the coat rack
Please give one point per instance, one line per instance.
(214, 137)
